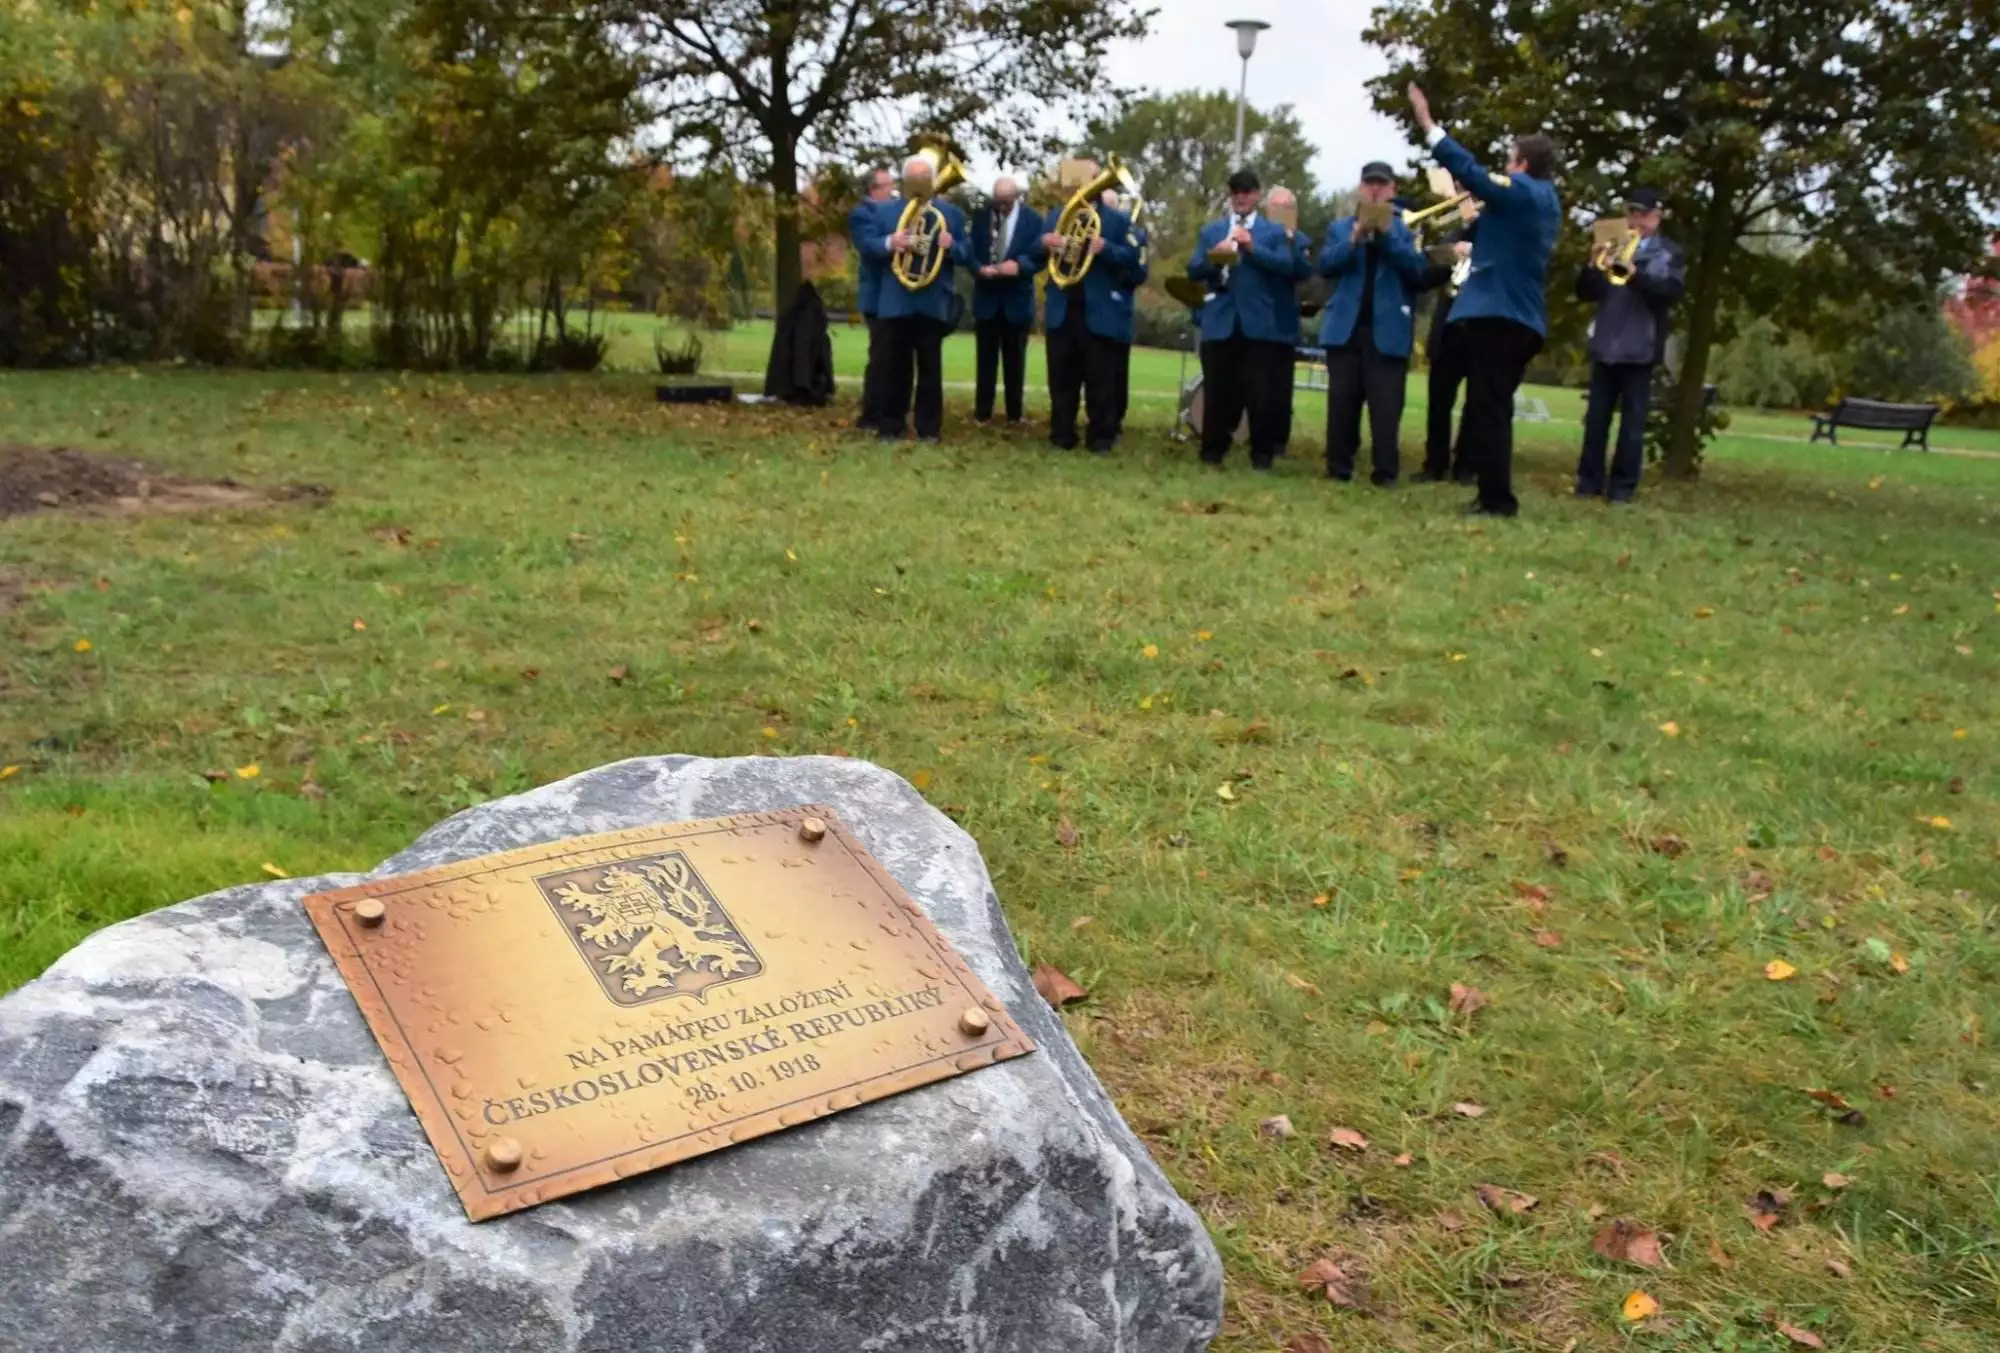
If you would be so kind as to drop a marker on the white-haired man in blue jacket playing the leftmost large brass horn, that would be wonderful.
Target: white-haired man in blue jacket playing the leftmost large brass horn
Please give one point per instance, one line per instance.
(919, 319)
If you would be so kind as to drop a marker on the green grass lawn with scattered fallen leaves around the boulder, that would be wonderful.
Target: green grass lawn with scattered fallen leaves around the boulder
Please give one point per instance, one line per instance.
(1327, 754)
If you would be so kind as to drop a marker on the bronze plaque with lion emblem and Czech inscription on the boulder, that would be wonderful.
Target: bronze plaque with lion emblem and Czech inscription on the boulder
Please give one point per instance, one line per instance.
(589, 1010)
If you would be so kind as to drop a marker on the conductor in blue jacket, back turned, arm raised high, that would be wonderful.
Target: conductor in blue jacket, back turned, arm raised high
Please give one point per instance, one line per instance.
(1501, 311)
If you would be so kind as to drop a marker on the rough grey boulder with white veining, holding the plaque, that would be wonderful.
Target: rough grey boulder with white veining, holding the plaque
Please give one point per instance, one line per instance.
(201, 1148)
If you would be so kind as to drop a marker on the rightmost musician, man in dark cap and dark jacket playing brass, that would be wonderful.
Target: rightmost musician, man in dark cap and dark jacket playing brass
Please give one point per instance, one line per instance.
(1627, 343)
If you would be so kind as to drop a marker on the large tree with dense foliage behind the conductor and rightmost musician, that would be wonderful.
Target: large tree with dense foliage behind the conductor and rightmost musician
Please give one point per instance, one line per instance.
(1867, 133)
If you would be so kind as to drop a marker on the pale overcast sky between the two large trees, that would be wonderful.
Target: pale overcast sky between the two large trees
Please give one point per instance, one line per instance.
(1311, 57)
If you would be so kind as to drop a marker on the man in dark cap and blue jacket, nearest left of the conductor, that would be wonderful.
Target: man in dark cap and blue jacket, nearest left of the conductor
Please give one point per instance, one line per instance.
(1369, 329)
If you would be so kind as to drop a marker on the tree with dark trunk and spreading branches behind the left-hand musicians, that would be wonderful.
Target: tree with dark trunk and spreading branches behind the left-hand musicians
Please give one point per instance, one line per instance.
(773, 85)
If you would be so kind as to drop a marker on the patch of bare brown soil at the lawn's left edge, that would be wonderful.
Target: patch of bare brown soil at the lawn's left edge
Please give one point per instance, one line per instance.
(35, 479)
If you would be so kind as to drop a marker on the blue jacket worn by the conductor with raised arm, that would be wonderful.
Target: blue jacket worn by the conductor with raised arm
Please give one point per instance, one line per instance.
(1519, 229)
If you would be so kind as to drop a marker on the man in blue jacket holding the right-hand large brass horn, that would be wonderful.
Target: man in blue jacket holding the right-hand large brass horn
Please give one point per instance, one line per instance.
(1091, 333)
